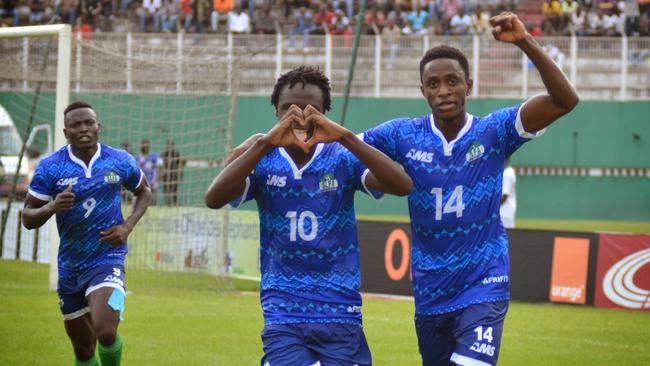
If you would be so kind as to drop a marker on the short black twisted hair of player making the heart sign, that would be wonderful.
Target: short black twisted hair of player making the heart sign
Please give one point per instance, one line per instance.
(305, 75)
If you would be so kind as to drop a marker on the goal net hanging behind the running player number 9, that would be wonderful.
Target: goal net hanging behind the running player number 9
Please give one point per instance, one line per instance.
(167, 99)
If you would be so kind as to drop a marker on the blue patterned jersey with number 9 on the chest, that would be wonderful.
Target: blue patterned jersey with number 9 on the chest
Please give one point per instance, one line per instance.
(97, 204)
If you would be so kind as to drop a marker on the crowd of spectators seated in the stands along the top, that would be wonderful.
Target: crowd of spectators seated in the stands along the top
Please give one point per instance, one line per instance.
(391, 18)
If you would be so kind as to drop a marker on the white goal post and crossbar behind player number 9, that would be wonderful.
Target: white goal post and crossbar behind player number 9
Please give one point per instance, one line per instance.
(62, 33)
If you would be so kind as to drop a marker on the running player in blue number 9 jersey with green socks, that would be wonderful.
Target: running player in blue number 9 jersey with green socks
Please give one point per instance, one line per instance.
(80, 184)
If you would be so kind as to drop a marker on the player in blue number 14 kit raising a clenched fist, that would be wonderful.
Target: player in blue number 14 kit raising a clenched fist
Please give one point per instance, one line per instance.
(460, 264)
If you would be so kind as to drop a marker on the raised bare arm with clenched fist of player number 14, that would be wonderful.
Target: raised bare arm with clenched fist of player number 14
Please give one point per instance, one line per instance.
(542, 110)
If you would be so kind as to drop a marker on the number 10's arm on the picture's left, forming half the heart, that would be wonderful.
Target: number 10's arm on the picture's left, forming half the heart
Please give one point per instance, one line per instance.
(231, 182)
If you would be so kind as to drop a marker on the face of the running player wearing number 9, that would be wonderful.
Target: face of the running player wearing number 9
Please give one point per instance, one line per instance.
(82, 128)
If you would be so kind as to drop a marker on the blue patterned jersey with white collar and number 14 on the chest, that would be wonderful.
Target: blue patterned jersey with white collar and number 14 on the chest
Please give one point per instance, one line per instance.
(460, 248)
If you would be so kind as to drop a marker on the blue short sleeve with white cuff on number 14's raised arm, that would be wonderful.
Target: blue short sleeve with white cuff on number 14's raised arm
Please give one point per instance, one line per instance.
(512, 134)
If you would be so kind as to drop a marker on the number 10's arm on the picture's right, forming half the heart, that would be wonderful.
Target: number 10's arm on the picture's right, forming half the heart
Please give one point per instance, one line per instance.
(385, 175)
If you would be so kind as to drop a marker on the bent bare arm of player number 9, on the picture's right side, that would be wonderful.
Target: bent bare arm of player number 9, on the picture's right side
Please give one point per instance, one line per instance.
(117, 235)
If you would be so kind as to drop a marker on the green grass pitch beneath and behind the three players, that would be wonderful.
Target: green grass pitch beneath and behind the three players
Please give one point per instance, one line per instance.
(167, 326)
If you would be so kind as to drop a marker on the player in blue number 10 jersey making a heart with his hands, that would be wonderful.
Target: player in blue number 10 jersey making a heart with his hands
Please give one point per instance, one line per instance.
(303, 175)
